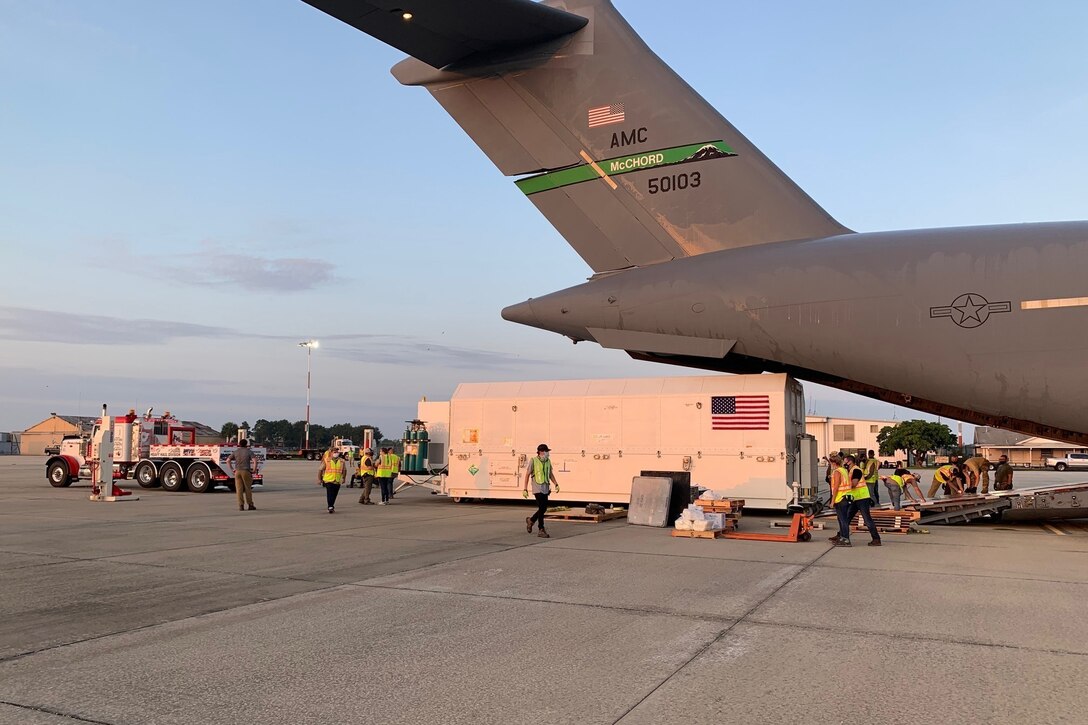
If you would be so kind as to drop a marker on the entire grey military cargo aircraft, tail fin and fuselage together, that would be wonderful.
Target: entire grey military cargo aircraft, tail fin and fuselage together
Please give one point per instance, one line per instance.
(707, 255)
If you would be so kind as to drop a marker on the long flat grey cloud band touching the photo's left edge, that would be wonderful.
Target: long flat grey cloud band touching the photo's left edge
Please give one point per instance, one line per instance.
(26, 325)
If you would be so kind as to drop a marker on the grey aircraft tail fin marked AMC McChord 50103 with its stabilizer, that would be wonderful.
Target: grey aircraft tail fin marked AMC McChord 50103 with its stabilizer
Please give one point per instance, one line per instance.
(629, 164)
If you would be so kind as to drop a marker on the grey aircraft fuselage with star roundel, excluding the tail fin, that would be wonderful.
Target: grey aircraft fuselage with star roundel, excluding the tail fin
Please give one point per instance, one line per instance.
(990, 322)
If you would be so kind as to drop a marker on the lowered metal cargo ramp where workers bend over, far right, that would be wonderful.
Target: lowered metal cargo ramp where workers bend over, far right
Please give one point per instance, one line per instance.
(1044, 503)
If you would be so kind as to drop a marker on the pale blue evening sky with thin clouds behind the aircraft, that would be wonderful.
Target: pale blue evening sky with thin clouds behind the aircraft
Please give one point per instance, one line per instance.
(188, 191)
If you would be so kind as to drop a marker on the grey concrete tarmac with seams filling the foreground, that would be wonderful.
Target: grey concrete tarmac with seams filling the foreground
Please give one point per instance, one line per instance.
(180, 609)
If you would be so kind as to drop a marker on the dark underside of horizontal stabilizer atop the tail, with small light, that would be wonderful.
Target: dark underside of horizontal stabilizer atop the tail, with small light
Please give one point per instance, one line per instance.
(444, 32)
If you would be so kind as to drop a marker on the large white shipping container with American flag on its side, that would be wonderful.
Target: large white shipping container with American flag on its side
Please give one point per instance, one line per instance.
(743, 436)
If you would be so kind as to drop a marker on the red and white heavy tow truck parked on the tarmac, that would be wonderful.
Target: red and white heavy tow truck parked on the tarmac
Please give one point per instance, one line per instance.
(154, 451)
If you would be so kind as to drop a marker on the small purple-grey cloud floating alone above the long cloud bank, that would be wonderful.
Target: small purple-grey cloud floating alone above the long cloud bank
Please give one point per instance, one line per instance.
(215, 267)
